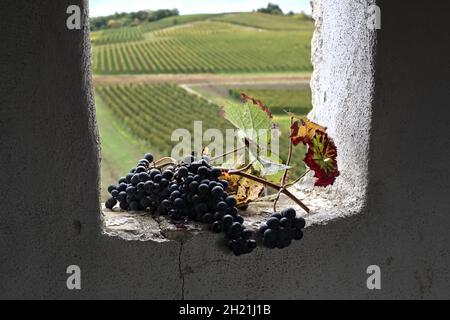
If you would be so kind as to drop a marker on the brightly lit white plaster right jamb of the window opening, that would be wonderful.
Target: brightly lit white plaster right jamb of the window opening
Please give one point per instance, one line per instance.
(342, 86)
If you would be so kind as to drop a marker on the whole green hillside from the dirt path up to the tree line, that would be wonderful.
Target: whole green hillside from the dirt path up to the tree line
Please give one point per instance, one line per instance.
(206, 44)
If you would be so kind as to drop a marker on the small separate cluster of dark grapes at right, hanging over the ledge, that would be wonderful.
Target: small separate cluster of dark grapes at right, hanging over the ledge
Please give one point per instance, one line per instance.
(281, 229)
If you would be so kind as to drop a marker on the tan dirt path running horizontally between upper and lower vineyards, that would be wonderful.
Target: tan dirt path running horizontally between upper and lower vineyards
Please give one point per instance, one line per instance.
(200, 78)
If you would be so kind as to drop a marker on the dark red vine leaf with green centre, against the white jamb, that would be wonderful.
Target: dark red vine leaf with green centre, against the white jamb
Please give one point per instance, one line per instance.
(321, 158)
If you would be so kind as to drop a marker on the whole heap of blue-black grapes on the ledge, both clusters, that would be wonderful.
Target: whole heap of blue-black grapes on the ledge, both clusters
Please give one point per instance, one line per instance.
(193, 191)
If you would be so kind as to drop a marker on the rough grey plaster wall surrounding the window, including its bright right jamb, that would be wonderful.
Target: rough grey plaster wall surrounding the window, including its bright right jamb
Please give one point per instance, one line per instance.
(50, 216)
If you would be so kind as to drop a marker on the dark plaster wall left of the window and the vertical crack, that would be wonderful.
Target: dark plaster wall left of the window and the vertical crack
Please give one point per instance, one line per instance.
(49, 169)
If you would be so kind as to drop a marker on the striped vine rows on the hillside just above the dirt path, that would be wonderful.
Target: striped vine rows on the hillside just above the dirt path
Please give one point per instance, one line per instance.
(207, 47)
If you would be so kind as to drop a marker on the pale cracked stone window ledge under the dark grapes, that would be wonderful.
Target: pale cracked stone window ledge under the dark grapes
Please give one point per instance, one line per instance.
(326, 206)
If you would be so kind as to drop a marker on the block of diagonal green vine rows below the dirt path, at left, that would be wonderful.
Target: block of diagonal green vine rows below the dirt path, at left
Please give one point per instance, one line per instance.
(153, 112)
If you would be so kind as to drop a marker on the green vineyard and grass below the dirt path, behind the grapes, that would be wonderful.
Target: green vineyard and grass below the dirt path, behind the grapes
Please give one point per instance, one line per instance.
(134, 117)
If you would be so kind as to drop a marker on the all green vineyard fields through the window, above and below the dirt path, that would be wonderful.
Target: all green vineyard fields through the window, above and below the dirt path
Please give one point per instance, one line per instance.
(137, 117)
